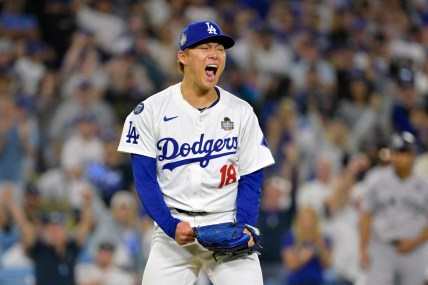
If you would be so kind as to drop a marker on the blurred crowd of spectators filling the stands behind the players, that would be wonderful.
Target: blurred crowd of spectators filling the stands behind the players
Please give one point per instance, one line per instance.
(330, 81)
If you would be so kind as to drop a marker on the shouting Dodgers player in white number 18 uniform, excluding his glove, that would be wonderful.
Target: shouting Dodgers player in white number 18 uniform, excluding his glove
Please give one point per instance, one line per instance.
(198, 155)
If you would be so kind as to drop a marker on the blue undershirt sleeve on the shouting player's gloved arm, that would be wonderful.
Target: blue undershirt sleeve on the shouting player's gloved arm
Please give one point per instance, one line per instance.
(248, 199)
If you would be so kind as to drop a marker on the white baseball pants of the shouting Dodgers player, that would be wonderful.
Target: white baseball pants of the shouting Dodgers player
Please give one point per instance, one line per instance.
(170, 263)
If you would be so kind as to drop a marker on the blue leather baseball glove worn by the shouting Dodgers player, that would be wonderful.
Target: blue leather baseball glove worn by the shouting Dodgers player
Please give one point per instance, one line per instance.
(228, 238)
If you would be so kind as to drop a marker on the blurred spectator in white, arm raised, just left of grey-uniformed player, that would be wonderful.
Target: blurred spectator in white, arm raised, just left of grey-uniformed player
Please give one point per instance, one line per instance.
(341, 220)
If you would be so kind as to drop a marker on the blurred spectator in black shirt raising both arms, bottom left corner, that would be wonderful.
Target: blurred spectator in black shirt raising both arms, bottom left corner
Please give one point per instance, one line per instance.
(53, 250)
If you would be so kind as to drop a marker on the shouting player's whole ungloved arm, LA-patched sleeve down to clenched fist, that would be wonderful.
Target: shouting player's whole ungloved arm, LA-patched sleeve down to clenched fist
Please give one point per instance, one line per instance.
(139, 139)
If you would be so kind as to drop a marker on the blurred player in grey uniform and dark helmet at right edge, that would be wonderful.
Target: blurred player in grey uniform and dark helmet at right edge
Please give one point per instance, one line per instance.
(394, 219)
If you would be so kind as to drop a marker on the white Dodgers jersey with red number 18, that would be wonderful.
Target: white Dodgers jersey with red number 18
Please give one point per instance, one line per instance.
(200, 156)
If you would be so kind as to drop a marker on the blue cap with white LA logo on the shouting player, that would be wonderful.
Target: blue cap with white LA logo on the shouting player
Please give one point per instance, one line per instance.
(198, 32)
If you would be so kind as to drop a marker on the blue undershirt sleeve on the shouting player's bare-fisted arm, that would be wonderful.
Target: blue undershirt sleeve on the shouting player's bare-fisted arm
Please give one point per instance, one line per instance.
(149, 192)
